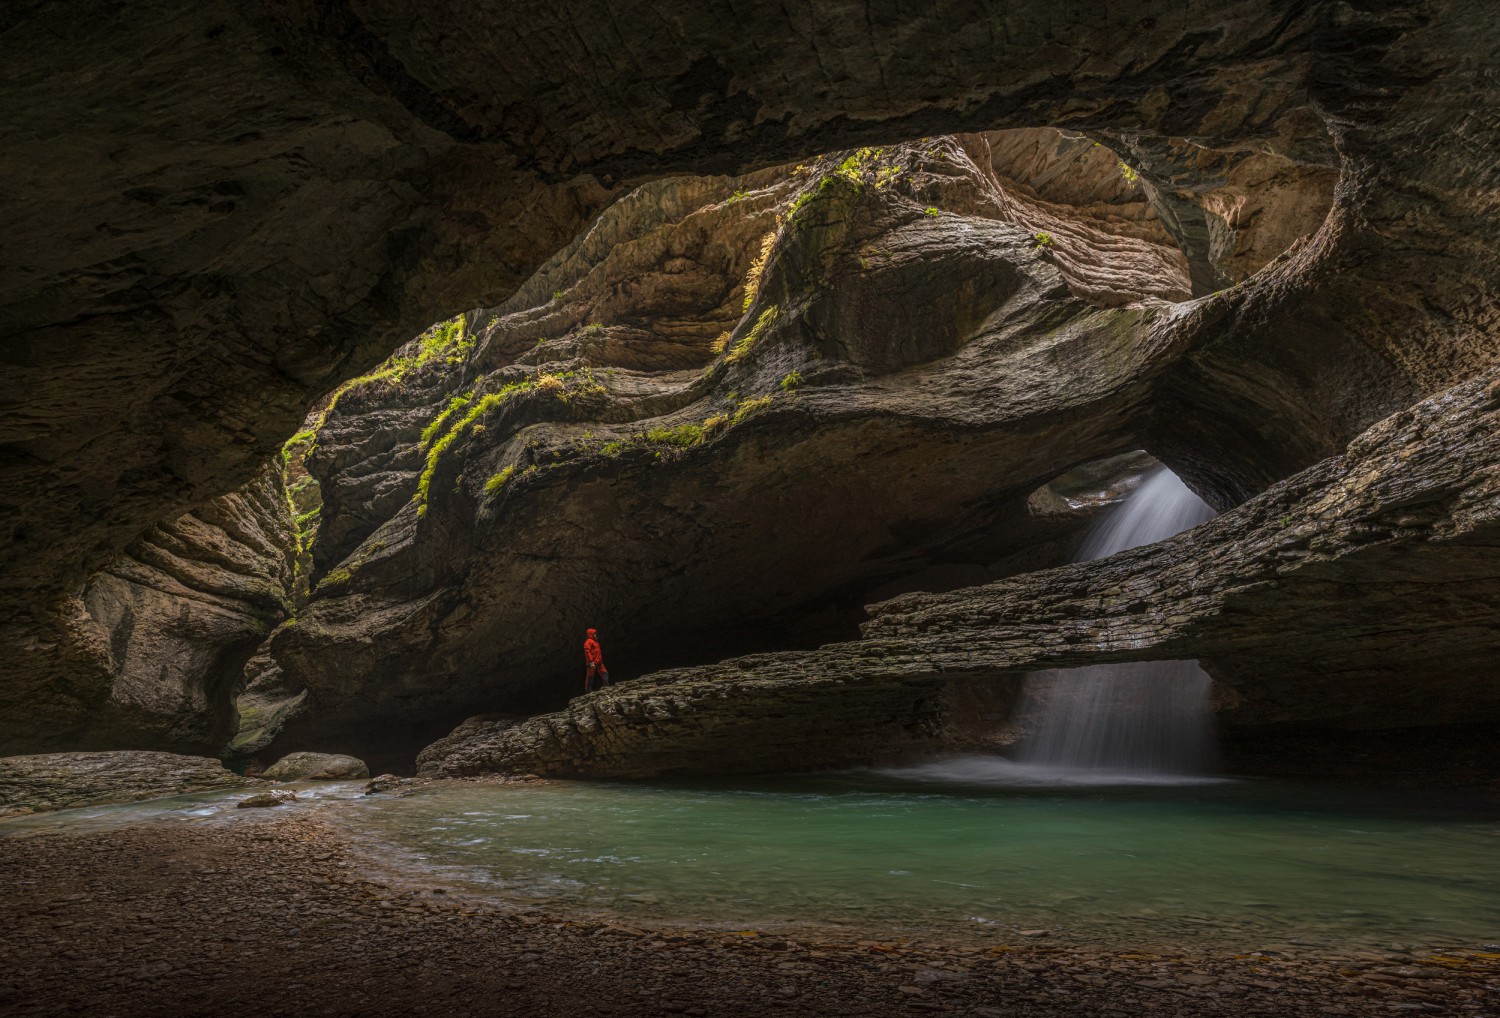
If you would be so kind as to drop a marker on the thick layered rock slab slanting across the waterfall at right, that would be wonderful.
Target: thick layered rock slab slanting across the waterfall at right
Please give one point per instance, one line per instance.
(1357, 594)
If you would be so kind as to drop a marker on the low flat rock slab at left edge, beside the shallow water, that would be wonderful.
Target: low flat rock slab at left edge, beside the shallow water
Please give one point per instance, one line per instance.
(65, 780)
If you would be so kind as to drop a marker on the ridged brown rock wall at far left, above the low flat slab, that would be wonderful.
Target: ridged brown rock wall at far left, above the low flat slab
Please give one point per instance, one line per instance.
(160, 641)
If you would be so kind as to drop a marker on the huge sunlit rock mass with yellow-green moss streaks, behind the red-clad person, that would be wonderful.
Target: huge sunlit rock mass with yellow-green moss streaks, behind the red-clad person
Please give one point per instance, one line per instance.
(736, 404)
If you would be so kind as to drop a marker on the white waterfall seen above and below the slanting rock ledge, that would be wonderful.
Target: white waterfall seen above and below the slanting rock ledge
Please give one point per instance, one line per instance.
(1148, 717)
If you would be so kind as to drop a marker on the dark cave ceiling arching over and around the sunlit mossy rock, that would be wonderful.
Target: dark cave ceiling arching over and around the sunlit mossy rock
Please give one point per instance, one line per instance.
(307, 188)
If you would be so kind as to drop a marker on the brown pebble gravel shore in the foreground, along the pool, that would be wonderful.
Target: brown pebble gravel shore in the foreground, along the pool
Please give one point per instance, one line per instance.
(278, 915)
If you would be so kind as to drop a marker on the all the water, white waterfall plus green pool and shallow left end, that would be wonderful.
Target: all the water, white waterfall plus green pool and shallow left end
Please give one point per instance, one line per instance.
(1103, 833)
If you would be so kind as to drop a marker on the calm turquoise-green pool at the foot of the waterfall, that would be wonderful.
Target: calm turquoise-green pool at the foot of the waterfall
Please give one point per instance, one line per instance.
(1237, 864)
